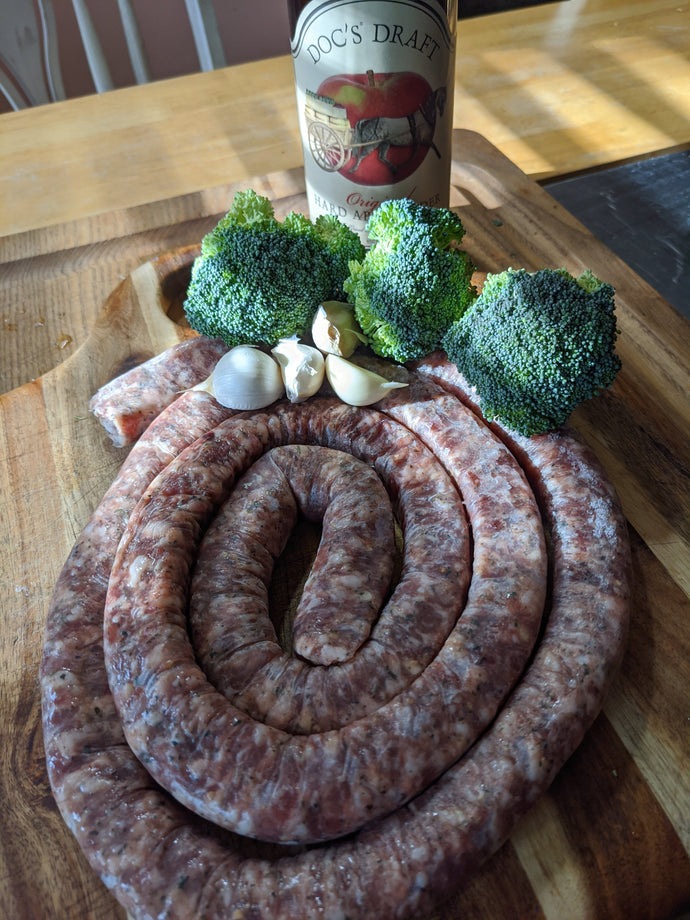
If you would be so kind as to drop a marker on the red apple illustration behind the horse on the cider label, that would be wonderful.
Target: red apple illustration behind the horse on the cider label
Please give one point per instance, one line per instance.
(392, 116)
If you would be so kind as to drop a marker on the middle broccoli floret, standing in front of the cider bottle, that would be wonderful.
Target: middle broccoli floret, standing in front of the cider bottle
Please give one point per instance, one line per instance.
(414, 282)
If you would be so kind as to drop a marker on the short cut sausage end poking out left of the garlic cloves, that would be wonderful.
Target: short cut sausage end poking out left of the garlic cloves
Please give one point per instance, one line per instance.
(128, 404)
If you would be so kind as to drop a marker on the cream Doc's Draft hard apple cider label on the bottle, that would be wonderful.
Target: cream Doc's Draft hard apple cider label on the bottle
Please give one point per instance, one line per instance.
(374, 82)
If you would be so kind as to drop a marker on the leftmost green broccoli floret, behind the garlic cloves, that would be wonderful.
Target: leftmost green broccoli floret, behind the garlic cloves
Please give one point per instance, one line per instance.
(258, 280)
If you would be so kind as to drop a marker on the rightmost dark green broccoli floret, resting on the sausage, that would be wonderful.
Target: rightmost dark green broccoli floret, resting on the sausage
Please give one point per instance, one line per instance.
(537, 345)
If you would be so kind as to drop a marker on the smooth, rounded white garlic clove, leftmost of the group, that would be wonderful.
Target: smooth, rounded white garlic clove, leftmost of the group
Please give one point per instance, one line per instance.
(245, 378)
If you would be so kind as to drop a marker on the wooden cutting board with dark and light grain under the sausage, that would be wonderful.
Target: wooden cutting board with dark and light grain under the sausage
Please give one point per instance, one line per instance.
(83, 301)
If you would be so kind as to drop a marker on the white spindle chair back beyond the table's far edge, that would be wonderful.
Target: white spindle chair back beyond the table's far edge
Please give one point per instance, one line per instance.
(29, 66)
